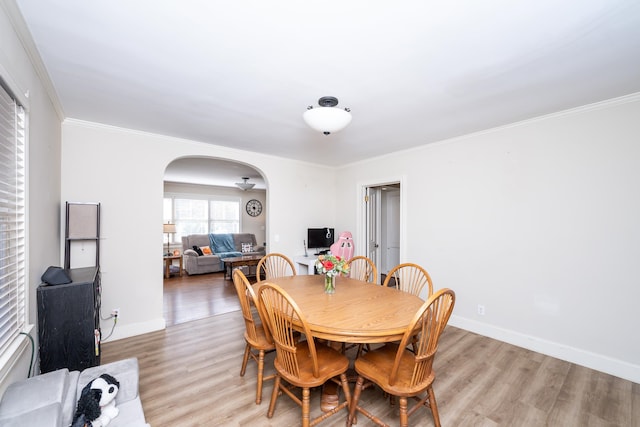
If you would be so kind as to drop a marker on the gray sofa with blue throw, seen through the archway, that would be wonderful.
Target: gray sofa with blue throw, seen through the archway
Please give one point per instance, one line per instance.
(201, 264)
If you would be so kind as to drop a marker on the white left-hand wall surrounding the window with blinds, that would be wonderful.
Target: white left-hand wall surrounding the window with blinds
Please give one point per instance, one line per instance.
(43, 204)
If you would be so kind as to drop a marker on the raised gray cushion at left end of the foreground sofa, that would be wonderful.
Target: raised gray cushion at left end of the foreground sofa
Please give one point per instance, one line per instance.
(39, 391)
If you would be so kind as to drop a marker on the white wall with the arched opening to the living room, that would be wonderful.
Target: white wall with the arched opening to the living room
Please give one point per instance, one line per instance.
(124, 171)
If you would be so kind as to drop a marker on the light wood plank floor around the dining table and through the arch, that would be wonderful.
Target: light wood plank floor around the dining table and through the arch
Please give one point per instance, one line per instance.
(189, 376)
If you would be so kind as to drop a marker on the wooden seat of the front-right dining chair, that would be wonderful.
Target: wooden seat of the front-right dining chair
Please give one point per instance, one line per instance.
(375, 366)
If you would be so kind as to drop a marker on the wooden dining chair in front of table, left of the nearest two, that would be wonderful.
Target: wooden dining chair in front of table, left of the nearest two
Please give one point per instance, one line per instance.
(300, 363)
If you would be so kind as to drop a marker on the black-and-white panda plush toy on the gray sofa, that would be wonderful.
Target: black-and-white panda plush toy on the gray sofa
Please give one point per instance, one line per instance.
(97, 403)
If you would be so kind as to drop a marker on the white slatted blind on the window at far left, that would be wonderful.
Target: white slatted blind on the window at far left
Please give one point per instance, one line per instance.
(12, 219)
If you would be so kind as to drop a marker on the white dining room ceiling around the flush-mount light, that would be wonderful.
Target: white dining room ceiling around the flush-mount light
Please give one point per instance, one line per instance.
(242, 73)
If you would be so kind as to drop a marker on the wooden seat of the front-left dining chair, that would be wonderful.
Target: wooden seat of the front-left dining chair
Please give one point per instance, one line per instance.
(331, 364)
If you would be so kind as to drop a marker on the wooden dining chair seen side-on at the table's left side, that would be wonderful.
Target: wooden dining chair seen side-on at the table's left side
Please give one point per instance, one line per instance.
(256, 334)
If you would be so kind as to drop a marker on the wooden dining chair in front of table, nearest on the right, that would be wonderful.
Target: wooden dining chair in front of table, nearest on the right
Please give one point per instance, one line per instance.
(402, 372)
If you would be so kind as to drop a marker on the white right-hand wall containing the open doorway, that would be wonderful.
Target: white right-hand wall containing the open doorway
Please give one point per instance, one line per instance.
(538, 221)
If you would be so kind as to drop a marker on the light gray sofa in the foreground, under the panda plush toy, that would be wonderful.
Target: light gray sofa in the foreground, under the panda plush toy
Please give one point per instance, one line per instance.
(50, 400)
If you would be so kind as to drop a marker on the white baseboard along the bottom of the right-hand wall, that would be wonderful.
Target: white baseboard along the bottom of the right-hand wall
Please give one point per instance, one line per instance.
(599, 362)
